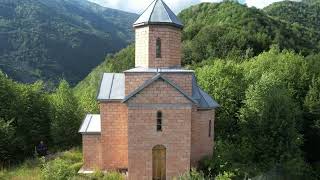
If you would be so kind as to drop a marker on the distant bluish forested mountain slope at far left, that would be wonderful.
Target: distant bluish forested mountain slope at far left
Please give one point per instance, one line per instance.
(53, 39)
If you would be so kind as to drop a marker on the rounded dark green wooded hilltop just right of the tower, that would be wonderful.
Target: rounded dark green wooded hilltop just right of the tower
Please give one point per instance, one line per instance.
(231, 29)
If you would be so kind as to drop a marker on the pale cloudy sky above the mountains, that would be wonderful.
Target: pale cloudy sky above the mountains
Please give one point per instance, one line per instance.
(137, 6)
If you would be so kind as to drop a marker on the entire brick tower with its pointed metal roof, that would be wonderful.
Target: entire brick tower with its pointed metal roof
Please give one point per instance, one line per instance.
(158, 37)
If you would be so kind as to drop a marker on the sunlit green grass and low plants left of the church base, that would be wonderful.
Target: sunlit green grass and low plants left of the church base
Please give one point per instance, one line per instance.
(61, 166)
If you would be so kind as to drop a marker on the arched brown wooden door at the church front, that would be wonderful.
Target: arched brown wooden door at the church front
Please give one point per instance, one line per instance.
(159, 162)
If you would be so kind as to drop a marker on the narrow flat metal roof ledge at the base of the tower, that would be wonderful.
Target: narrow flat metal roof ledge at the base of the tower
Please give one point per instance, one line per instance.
(158, 70)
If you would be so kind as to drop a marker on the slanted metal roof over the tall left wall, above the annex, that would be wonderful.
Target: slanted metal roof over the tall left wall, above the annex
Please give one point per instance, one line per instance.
(112, 87)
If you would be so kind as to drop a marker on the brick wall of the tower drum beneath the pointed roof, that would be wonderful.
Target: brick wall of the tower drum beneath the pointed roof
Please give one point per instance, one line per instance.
(146, 46)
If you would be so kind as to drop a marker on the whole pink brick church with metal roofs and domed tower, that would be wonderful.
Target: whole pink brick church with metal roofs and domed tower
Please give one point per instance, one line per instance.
(155, 122)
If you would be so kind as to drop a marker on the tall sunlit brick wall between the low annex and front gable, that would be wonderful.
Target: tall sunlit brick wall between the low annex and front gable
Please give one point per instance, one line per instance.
(114, 135)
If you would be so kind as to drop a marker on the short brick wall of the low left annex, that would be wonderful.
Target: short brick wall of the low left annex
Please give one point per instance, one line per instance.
(91, 151)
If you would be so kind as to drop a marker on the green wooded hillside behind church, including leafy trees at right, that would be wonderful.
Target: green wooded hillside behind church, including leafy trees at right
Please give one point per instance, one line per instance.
(264, 72)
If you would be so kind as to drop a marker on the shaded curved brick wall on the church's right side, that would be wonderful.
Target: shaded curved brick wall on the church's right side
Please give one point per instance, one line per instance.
(201, 143)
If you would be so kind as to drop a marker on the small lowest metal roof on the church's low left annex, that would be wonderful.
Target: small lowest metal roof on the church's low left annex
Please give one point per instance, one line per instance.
(91, 124)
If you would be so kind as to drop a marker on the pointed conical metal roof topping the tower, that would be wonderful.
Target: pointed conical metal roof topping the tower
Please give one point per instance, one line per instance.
(158, 13)
